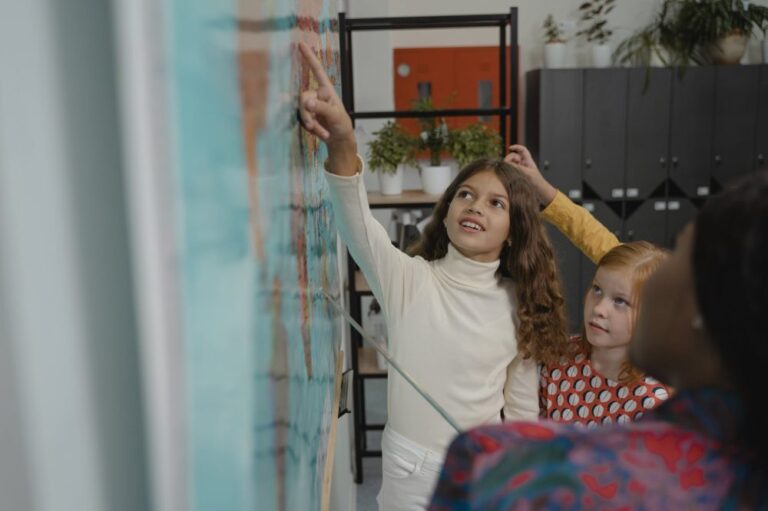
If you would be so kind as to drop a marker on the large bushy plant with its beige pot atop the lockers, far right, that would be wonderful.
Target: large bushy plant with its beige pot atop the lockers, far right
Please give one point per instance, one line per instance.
(714, 31)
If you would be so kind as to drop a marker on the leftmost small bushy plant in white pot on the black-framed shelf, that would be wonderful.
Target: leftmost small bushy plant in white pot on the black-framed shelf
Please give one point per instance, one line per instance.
(388, 152)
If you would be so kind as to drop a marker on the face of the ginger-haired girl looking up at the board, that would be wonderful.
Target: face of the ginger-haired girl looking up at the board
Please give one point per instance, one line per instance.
(608, 309)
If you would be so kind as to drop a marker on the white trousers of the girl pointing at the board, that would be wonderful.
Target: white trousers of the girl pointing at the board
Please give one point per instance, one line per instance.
(409, 473)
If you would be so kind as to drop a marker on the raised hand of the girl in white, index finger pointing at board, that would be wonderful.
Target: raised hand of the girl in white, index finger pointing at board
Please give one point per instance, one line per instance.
(322, 113)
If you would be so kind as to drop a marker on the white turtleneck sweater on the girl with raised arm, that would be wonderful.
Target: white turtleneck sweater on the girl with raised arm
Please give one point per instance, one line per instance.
(451, 325)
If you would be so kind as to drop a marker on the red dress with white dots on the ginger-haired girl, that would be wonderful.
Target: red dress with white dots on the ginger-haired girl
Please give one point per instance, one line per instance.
(573, 391)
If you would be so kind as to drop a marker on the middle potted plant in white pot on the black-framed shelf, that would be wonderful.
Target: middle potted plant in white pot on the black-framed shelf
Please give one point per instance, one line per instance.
(434, 137)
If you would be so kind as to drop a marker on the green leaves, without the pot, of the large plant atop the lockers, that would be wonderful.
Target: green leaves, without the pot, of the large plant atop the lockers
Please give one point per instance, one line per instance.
(695, 25)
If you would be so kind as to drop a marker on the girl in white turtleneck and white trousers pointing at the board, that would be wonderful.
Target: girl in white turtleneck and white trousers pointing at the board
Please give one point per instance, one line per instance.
(468, 313)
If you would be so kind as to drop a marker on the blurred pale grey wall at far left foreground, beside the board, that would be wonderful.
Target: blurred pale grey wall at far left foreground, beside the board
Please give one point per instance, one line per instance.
(67, 306)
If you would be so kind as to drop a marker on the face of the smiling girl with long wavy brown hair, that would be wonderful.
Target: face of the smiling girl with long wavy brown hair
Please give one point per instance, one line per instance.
(478, 217)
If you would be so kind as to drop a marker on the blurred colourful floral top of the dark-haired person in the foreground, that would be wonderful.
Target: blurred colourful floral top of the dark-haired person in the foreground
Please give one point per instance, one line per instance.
(680, 456)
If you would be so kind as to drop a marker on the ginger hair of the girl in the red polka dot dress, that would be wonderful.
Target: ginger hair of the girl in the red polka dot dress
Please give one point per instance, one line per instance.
(640, 259)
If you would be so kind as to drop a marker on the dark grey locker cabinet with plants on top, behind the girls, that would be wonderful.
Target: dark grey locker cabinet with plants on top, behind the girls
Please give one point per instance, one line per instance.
(641, 148)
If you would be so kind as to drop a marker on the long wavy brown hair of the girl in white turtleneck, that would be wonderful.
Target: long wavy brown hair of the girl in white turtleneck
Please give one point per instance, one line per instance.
(528, 260)
